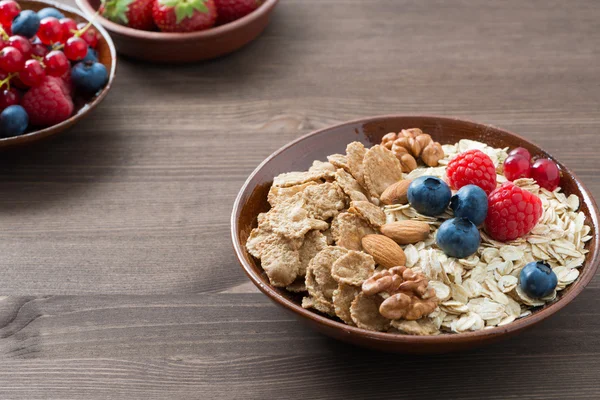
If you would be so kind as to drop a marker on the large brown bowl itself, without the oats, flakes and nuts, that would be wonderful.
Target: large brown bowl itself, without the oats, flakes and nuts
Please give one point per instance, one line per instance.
(299, 155)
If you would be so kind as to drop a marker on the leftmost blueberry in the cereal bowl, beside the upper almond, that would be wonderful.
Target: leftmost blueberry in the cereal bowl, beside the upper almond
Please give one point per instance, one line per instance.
(429, 195)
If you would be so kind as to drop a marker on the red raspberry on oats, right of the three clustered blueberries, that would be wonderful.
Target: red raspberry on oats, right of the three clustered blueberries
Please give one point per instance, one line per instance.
(512, 212)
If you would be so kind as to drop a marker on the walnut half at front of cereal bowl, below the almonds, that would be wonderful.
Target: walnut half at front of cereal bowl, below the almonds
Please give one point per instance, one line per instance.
(410, 297)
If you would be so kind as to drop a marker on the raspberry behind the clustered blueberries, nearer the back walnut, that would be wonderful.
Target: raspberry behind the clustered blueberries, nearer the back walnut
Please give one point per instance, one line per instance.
(472, 167)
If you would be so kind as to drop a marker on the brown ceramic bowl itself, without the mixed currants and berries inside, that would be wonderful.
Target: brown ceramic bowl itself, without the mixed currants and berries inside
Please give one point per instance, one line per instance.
(106, 55)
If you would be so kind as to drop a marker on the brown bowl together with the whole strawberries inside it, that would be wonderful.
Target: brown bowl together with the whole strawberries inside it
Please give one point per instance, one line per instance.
(179, 31)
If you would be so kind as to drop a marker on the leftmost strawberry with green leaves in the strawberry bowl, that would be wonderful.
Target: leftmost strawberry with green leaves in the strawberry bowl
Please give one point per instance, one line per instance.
(136, 14)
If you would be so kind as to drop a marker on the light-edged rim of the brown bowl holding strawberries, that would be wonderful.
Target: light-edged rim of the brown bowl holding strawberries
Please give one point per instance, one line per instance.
(264, 8)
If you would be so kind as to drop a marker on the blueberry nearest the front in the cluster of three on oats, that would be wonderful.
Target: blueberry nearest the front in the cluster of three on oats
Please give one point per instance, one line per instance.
(458, 237)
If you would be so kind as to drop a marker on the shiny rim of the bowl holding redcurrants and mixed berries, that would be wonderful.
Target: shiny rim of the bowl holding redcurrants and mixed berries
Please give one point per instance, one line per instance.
(31, 136)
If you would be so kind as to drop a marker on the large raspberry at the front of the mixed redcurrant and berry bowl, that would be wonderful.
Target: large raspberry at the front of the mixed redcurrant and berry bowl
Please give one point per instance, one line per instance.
(47, 104)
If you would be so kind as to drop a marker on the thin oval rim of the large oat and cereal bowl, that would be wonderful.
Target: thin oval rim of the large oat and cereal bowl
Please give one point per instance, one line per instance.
(332, 324)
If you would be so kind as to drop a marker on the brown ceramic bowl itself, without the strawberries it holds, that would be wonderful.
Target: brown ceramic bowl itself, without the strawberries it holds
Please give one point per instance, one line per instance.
(184, 47)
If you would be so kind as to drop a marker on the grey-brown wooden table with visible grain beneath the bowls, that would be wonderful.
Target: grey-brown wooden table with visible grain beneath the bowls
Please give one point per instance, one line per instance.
(115, 250)
